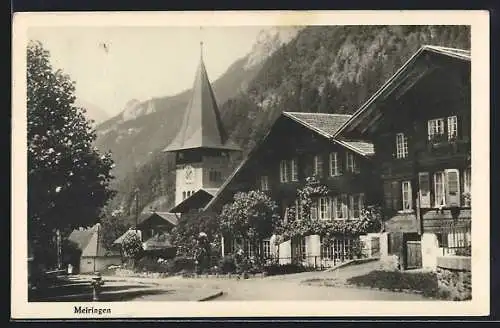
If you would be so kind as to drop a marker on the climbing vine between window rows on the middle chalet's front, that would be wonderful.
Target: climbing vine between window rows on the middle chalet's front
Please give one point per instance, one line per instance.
(370, 218)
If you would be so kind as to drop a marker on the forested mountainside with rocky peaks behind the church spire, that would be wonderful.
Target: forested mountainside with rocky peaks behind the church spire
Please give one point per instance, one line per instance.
(332, 69)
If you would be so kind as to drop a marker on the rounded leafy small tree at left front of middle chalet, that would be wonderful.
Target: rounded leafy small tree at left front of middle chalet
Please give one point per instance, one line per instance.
(251, 216)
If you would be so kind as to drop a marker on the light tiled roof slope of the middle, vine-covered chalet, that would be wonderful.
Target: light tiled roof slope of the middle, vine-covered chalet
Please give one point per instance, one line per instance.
(327, 125)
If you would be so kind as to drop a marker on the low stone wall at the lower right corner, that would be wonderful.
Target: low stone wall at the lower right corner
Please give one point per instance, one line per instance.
(454, 277)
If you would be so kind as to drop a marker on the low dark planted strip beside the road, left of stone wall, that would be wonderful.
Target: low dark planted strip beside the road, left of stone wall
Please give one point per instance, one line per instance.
(426, 283)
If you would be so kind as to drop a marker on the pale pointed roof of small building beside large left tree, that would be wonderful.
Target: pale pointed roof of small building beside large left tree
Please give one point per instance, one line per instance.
(89, 243)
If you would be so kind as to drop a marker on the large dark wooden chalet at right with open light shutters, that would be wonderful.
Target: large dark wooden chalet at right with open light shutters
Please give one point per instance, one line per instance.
(420, 124)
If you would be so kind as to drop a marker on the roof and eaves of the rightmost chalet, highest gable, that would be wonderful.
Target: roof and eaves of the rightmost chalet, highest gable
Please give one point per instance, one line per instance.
(398, 81)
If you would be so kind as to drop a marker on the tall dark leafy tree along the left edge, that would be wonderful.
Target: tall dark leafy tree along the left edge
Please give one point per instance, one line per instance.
(68, 179)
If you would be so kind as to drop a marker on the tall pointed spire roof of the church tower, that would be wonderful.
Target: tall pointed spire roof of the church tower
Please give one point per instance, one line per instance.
(202, 124)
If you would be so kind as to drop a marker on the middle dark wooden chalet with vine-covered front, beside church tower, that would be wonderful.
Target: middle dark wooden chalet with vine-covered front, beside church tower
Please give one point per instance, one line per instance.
(299, 146)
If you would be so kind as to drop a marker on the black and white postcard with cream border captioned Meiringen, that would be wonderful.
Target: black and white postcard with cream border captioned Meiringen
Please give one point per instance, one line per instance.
(224, 163)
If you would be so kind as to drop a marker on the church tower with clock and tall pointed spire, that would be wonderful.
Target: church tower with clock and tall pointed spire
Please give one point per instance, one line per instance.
(203, 151)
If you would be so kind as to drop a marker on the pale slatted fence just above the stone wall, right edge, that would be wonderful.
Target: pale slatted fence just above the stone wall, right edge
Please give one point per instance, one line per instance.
(456, 239)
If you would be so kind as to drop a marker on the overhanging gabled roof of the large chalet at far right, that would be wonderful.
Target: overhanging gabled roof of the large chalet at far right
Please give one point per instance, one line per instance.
(398, 78)
